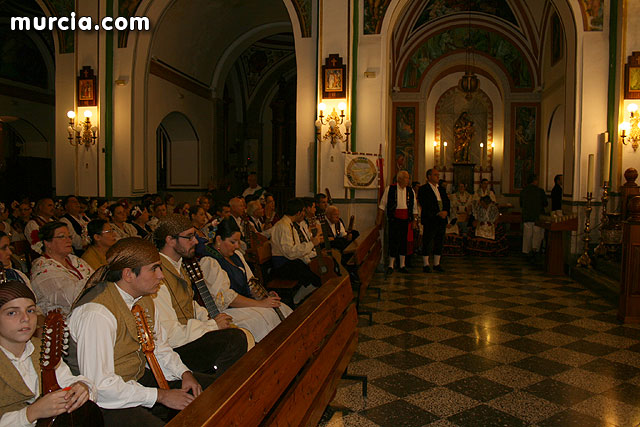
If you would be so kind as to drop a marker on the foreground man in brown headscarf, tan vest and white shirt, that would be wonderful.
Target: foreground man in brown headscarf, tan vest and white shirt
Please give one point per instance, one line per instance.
(105, 347)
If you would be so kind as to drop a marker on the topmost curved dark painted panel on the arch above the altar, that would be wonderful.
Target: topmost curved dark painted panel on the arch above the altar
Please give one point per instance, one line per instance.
(434, 9)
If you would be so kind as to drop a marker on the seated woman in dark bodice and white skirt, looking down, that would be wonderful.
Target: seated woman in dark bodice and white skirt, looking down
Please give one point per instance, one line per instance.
(228, 277)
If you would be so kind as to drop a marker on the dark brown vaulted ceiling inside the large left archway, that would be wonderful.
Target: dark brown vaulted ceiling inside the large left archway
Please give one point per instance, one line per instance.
(193, 35)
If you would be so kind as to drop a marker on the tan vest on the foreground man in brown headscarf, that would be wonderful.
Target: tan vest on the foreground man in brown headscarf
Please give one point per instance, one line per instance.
(128, 358)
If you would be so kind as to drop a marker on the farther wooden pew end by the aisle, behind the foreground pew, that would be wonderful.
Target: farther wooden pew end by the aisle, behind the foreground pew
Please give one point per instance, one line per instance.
(366, 252)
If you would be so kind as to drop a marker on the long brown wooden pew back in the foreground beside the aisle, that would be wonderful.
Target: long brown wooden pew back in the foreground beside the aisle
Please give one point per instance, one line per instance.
(290, 376)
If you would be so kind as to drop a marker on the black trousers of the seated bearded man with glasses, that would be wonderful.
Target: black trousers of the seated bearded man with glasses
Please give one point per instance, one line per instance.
(214, 352)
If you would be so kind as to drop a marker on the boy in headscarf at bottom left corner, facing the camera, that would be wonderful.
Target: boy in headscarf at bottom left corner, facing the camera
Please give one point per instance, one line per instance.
(20, 382)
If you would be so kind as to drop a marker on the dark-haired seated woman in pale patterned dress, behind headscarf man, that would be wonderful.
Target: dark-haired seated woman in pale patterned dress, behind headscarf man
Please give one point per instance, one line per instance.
(58, 276)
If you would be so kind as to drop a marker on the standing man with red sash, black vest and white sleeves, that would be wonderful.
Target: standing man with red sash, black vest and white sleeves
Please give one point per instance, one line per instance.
(399, 204)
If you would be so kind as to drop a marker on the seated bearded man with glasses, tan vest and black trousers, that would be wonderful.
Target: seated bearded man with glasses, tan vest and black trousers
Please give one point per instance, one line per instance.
(204, 344)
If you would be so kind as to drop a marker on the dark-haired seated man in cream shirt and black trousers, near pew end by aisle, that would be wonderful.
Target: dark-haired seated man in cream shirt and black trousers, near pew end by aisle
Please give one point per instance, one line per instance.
(292, 249)
